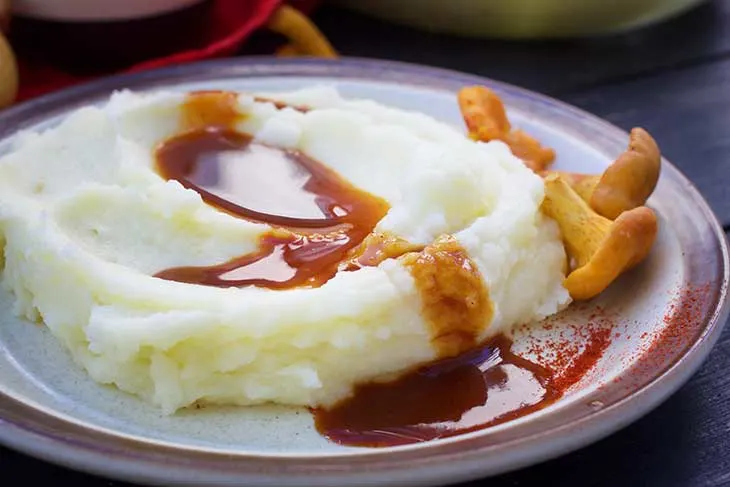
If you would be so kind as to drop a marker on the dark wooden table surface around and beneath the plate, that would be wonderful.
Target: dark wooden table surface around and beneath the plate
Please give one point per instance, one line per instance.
(674, 80)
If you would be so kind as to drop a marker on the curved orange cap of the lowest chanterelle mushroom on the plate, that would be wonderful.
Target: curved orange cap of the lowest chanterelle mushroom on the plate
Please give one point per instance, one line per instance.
(627, 243)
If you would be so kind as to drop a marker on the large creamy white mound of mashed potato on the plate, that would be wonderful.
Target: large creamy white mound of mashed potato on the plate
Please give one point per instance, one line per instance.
(86, 222)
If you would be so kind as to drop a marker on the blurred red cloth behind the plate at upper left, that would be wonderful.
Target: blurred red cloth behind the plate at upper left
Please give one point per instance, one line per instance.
(231, 23)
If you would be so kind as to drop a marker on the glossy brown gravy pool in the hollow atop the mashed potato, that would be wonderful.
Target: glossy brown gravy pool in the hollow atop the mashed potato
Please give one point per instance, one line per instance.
(319, 216)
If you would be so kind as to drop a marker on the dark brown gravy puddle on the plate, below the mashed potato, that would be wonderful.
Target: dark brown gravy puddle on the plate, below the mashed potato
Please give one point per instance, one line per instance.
(480, 388)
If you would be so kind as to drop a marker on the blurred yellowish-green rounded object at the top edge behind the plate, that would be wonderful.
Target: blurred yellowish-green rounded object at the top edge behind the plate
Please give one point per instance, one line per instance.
(522, 19)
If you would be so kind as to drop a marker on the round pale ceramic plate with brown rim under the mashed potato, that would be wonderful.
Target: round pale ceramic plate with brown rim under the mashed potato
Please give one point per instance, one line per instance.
(661, 321)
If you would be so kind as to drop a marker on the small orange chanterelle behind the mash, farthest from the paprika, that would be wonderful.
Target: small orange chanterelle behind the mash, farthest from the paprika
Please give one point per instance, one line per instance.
(486, 119)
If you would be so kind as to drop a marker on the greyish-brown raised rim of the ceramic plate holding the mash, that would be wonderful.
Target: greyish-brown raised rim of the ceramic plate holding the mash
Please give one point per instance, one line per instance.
(60, 440)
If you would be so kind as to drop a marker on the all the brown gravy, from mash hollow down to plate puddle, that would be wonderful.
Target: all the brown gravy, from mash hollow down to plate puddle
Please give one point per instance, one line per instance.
(322, 225)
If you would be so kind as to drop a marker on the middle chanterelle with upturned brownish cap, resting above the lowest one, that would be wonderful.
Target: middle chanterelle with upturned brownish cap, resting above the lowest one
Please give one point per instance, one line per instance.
(627, 183)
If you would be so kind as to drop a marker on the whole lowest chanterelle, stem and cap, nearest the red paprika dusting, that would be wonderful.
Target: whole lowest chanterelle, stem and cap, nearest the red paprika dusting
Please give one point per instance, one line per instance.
(600, 249)
